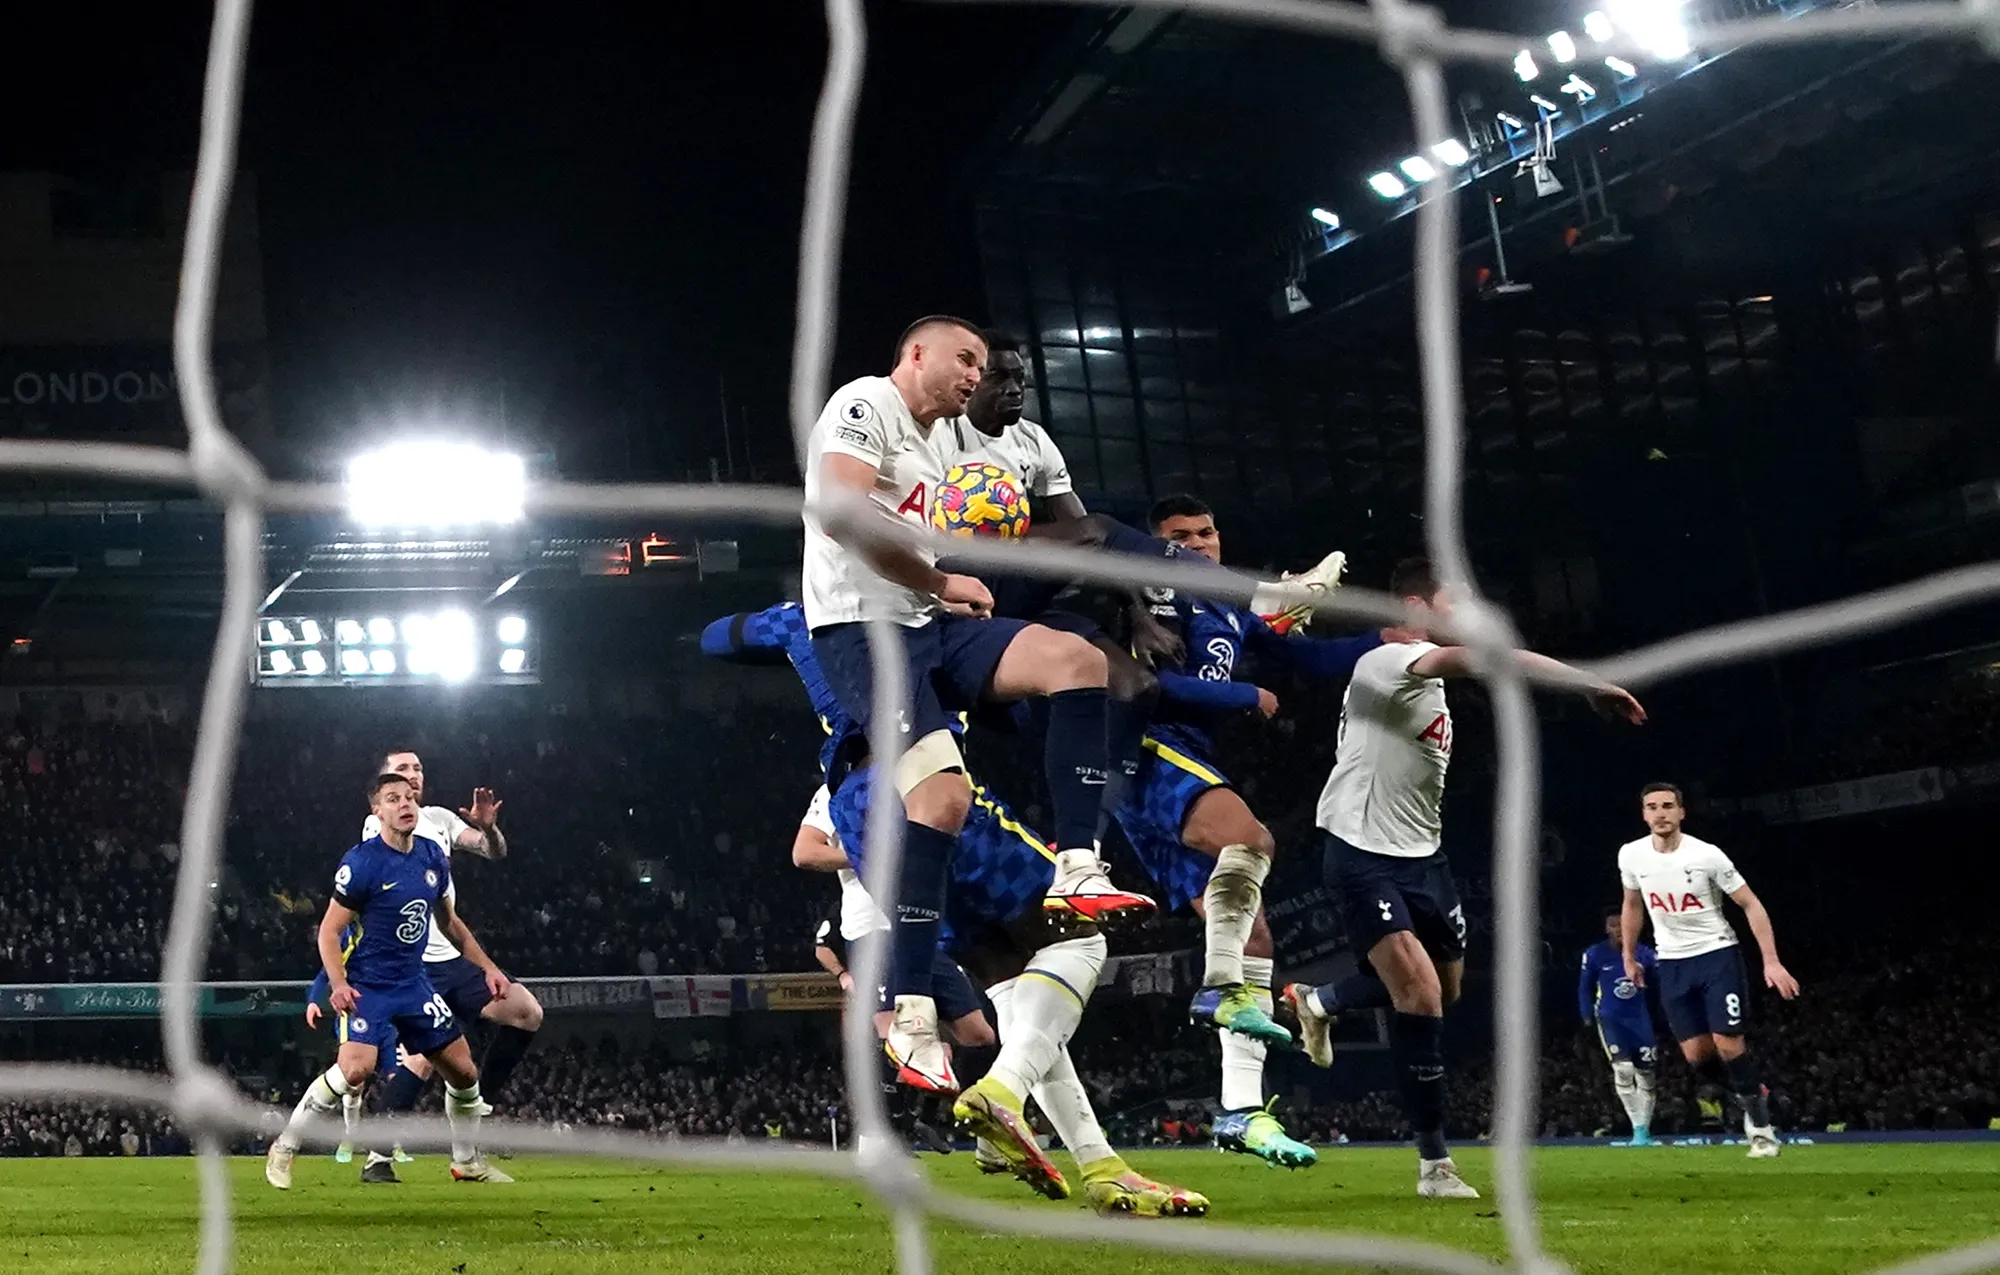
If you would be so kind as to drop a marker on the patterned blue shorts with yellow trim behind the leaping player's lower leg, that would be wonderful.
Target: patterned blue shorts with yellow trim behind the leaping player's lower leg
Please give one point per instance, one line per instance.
(1001, 868)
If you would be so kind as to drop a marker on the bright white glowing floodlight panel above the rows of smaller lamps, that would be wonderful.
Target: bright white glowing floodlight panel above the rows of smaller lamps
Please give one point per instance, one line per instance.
(437, 485)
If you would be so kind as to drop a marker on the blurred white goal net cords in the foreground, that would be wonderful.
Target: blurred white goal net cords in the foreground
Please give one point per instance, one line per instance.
(1417, 43)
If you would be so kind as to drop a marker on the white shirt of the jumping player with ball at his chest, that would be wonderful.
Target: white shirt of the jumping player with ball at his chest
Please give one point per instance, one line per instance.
(869, 421)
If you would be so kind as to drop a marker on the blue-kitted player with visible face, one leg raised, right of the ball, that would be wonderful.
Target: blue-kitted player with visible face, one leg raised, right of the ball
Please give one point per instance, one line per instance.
(1199, 838)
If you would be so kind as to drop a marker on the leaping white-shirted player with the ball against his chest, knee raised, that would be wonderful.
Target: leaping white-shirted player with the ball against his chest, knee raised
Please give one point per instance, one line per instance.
(875, 441)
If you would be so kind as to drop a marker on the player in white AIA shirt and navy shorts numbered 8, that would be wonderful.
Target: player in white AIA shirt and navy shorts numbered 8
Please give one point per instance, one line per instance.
(1679, 882)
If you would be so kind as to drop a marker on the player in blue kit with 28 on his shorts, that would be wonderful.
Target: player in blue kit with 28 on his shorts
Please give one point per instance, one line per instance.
(387, 890)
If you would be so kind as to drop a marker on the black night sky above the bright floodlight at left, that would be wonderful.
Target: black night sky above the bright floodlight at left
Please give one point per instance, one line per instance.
(601, 205)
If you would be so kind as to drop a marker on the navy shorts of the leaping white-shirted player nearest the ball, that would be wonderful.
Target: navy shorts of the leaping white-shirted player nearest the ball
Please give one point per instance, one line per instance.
(949, 660)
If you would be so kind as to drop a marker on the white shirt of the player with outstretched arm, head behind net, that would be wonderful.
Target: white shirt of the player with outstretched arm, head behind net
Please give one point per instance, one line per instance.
(1395, 746)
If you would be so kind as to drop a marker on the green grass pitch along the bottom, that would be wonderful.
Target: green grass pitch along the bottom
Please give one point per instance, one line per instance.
(1827, 1208)
